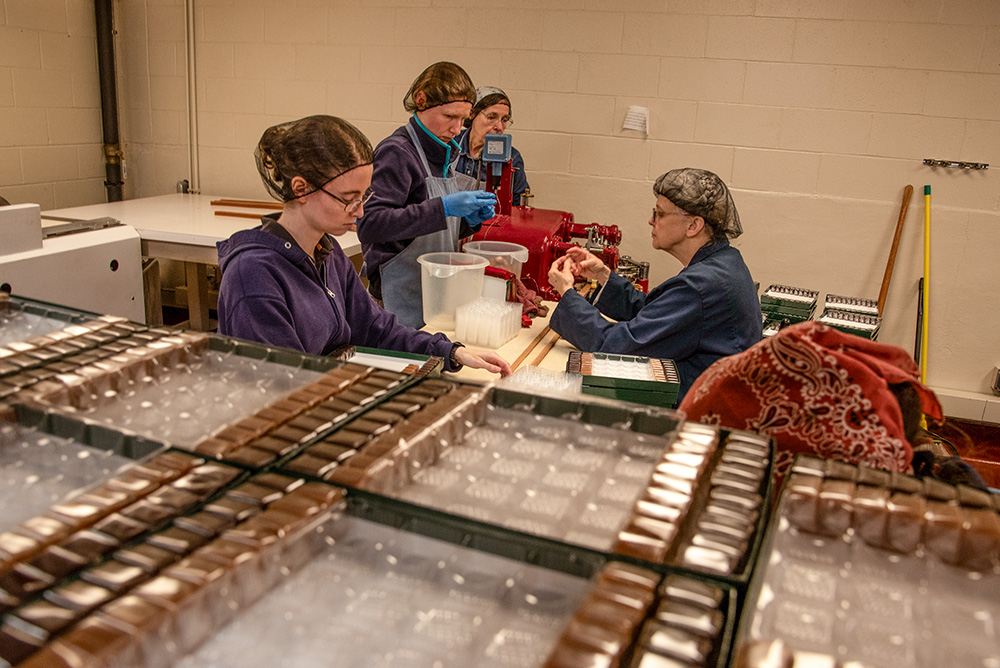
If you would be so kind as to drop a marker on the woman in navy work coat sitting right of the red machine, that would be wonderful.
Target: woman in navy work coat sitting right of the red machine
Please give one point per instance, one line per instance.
(707, 311)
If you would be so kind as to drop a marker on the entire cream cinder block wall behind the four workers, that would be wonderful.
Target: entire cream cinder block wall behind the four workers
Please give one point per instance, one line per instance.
(816, 112)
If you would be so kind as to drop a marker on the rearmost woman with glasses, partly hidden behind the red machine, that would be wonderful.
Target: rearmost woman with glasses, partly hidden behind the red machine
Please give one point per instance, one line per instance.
(490, 114)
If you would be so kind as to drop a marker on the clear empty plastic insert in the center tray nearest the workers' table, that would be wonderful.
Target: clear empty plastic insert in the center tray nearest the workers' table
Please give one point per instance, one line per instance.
(569, 480)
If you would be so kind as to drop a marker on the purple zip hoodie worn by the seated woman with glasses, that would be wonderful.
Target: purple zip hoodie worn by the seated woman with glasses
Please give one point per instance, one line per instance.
(273, 293)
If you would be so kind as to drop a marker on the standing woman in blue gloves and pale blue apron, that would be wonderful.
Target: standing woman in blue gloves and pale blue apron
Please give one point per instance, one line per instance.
(421, 205)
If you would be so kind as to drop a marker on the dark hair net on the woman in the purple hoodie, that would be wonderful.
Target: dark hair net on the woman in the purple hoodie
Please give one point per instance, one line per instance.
(317, 148)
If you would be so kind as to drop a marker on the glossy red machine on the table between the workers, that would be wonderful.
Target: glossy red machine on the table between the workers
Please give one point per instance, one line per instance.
(544, 232)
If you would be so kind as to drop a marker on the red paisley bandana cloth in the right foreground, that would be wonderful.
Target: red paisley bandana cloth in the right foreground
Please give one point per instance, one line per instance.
(818, 391)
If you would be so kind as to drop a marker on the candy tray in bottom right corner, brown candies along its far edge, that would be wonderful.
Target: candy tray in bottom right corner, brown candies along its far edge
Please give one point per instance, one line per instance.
(915, 562)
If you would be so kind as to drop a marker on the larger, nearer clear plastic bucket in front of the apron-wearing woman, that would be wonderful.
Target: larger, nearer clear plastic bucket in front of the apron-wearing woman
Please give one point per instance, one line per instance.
(447, 281)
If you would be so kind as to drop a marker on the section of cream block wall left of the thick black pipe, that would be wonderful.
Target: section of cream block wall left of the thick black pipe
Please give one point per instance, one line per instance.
(50, 104)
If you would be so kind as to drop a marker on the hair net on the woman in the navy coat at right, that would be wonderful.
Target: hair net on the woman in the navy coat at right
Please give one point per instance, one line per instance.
(702, 193)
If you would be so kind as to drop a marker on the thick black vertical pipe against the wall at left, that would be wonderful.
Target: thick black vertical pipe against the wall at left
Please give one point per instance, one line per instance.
(109, 99)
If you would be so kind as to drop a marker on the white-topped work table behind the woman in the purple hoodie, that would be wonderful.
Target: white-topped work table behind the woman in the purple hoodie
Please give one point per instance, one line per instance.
(183, 227)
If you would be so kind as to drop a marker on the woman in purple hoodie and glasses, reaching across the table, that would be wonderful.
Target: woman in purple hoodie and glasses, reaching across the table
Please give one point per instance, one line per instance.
(287, 282)
